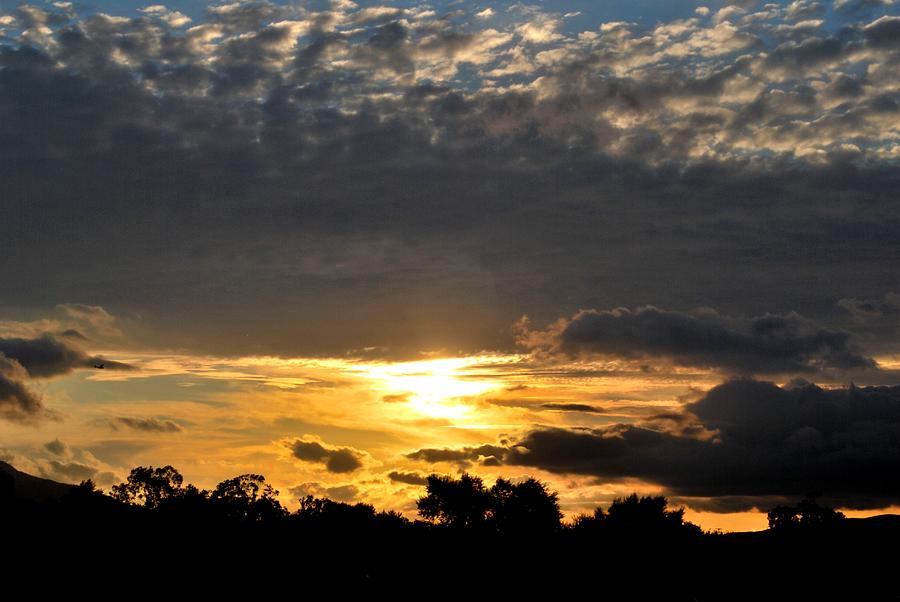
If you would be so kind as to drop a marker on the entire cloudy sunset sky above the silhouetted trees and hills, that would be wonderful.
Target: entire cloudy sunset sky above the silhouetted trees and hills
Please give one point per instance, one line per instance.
(617, 246)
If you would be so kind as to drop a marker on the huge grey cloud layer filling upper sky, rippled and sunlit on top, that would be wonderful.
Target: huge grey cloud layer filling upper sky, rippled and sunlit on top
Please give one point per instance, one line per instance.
(395, 178)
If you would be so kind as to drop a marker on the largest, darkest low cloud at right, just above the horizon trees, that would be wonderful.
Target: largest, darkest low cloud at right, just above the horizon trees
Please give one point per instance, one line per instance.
(760, 441)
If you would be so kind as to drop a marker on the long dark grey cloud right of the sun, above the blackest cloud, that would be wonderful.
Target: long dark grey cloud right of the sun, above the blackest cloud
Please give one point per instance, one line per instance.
(705, 338)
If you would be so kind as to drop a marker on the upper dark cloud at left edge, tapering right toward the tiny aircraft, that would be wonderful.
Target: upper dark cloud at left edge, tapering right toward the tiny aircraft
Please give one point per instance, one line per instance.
(47, 356)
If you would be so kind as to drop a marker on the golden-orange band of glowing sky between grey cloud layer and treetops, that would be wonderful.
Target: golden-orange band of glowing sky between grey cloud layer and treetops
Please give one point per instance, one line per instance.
(238, 415)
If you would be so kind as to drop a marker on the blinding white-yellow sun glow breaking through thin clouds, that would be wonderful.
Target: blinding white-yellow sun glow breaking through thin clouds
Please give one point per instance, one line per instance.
(434, 388)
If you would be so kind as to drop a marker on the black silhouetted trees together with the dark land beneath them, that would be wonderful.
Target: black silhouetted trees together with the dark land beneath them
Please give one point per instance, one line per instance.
(510, 534)
